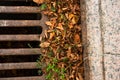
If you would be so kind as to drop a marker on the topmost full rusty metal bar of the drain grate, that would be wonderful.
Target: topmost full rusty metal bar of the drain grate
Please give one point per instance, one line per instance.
(19, 9)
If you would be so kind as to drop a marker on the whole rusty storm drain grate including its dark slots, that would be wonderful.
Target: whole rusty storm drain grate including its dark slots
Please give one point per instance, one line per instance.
(21, 25)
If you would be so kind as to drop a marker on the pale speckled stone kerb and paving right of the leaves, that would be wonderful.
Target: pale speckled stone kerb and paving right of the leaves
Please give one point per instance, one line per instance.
(101, 22)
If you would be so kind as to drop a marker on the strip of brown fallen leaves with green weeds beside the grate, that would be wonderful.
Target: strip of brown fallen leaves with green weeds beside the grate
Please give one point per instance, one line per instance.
(61, 47)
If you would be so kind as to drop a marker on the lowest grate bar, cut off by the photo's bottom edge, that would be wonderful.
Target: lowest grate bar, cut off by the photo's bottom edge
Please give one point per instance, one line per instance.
(25, 78)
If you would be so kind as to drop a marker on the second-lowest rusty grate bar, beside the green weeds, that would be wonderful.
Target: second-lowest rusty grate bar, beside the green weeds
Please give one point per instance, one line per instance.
(22, 65)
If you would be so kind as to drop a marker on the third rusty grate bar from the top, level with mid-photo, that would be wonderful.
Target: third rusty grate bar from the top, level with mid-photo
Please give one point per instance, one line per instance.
(19, 37)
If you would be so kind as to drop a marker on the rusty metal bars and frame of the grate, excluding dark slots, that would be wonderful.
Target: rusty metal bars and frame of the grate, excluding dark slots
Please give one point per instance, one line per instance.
(21, 37)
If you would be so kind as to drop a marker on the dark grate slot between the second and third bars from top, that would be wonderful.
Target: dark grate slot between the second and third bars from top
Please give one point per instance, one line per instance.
(21, 30)
